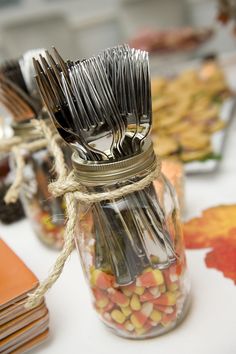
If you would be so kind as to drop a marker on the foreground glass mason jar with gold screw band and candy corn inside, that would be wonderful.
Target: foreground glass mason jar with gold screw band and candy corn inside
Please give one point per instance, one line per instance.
(131, 248)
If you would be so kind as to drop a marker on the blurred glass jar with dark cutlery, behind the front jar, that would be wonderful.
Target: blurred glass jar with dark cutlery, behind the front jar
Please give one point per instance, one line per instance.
(45, 212)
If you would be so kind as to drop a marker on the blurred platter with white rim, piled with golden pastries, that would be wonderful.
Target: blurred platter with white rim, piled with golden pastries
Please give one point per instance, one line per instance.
(192, 111)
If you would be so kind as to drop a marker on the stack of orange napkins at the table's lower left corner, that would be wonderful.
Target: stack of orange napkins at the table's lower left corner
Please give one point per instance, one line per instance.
(20, 329)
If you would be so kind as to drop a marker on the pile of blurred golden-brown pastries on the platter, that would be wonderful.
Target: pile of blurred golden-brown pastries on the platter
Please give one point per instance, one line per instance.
(186, 112)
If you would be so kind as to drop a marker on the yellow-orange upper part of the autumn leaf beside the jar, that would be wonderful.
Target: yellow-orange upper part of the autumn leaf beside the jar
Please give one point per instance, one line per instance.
(215, 223)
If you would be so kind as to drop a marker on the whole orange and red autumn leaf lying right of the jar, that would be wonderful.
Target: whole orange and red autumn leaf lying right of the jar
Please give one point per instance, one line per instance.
(216, 228)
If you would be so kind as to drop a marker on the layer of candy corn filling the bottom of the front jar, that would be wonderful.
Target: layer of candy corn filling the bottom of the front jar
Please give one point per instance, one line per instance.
(140, 307)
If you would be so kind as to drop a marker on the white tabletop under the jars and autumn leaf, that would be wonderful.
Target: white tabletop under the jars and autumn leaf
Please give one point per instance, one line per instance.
(210, 325)
